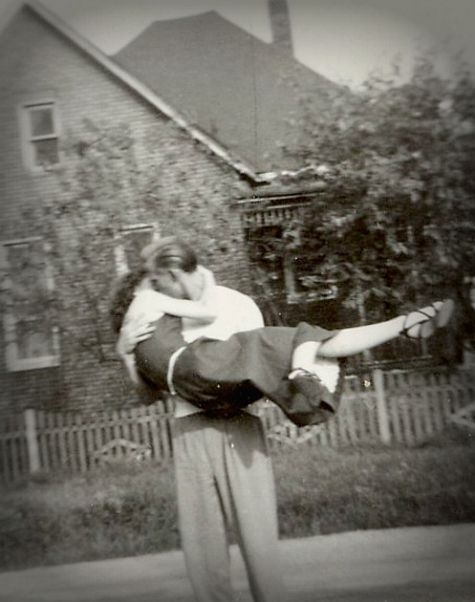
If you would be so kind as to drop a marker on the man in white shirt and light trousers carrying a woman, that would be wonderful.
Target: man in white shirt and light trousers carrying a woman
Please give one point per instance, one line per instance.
(223, 469)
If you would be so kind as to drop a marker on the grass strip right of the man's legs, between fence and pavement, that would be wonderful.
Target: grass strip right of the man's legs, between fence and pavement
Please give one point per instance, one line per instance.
(324, 491)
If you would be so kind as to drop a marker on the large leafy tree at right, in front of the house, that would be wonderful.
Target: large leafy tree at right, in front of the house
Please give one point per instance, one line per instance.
(396, 222)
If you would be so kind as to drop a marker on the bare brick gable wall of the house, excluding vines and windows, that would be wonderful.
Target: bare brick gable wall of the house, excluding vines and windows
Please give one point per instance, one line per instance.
(37, 62)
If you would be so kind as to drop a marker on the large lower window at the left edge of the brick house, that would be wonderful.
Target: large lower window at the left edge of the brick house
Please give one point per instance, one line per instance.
(31, 339)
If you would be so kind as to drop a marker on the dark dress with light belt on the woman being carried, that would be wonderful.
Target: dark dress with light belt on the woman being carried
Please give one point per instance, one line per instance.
(245, 367)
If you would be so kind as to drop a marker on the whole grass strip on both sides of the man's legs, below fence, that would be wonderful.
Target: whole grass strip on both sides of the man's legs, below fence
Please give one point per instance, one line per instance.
(129, 508)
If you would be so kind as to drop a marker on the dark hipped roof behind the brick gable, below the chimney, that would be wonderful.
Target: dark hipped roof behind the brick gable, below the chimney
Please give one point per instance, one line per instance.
(229, 84)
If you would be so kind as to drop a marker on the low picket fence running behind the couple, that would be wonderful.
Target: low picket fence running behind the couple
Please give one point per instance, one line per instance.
(404, 407)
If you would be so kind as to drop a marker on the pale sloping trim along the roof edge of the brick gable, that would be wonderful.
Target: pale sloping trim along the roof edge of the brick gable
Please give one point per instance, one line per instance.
(137, 86)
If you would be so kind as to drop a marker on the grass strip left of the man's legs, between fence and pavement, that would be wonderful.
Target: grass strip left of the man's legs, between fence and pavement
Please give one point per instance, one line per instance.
(106, 513)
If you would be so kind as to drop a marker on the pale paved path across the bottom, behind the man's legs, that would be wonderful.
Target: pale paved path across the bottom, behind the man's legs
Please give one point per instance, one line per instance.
(418, 564)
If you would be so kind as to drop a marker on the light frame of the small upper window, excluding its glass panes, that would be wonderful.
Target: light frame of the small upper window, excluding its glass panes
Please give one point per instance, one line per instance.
(28, 139)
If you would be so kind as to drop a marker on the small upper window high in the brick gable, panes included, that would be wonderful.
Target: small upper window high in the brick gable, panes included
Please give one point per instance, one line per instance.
(40, 135)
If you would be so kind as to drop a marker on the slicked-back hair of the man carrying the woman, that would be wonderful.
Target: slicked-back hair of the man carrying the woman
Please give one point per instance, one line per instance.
(169, 252)
